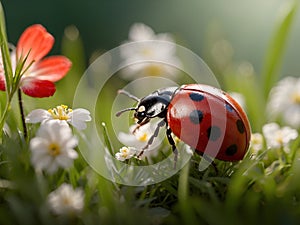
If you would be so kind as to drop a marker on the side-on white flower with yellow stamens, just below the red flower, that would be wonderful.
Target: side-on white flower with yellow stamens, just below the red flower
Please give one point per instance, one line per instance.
(76, 117)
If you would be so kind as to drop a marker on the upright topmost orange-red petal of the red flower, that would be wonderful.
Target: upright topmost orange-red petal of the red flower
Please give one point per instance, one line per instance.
(36, 40)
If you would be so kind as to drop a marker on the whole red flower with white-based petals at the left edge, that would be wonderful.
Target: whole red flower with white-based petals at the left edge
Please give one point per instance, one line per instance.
(38, 80)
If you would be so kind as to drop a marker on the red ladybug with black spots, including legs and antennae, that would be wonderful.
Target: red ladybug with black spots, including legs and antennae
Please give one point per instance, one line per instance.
(204, 117)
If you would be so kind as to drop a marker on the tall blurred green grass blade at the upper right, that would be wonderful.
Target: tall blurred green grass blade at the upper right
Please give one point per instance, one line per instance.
(277, 46)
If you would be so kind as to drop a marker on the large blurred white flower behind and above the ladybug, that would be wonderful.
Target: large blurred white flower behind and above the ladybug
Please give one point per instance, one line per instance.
(148, 49)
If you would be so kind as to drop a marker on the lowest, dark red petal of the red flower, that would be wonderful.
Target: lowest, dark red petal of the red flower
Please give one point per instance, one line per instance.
(37, 88)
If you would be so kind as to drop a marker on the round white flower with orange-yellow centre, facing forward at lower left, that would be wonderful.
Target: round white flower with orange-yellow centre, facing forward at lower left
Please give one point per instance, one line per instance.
(52, 147)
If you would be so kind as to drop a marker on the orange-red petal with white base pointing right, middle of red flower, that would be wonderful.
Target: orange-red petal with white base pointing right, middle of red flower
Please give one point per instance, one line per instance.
(52, 68)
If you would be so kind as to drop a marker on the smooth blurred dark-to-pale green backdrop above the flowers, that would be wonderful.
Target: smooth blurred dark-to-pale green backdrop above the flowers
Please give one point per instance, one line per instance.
(104, 24)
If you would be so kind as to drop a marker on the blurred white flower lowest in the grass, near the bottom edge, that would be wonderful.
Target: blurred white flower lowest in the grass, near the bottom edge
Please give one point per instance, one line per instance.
(65, 200)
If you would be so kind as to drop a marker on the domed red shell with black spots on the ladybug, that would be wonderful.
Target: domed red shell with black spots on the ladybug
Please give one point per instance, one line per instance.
(210, 121)
